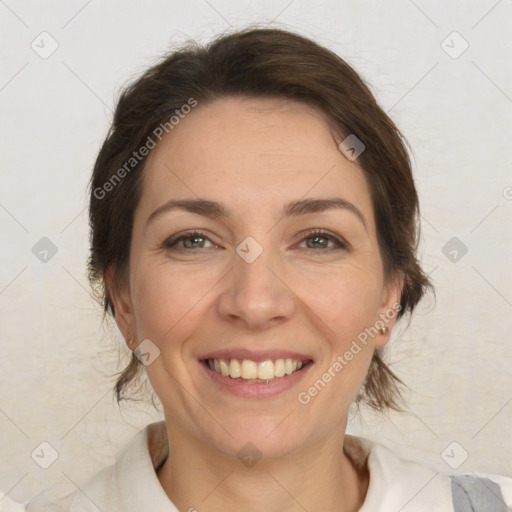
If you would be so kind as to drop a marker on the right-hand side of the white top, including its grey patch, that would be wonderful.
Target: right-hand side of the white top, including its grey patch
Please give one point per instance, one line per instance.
(397, 483)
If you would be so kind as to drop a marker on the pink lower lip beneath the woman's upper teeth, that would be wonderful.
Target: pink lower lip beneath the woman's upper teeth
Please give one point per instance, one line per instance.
(256, 389)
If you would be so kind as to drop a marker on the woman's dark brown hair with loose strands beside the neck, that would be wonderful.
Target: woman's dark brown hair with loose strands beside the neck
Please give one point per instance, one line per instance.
(265, 63)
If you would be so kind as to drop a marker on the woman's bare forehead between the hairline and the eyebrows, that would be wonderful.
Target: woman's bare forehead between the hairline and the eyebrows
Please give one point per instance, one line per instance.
(251, 152)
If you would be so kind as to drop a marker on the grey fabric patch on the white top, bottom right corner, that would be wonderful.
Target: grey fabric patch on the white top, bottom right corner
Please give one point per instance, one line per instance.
(475, 494)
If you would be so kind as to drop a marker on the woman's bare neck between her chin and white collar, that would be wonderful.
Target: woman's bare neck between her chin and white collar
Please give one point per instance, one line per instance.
(324, 476)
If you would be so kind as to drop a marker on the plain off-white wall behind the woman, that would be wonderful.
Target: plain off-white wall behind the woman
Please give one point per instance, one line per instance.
(453, 105)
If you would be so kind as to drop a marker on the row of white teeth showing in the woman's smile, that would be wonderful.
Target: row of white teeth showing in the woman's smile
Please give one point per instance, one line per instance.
(250, 371)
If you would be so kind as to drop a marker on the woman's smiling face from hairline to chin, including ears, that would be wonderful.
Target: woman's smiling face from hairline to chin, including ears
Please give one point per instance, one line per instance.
(255, 284)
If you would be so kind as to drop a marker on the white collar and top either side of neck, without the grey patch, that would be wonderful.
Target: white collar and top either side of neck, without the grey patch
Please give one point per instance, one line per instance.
(395, 483)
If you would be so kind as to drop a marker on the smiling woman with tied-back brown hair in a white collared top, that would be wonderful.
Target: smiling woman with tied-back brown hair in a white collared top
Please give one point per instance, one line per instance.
(253, 233)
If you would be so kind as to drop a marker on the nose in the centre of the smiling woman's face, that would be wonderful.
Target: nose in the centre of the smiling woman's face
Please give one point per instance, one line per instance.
(257, 294)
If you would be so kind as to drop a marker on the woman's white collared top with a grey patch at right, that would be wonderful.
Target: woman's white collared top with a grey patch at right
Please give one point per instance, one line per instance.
(396, 484)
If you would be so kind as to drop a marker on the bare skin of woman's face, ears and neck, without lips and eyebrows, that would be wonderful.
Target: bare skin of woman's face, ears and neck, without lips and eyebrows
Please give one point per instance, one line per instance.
(255, 155)
